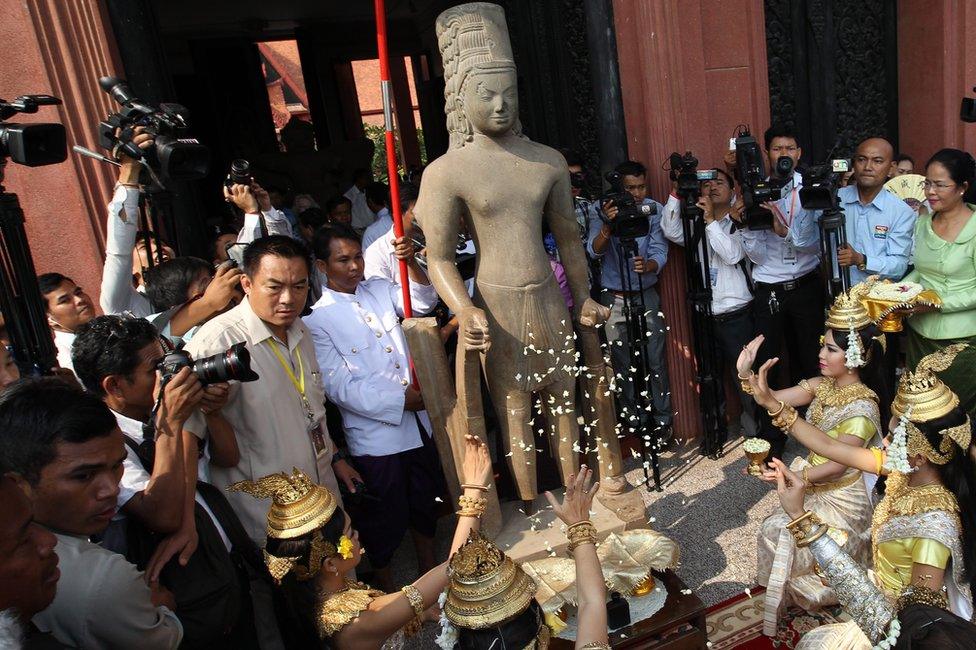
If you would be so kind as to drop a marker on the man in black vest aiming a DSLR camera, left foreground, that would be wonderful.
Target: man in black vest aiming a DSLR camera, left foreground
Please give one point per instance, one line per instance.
(117, 359)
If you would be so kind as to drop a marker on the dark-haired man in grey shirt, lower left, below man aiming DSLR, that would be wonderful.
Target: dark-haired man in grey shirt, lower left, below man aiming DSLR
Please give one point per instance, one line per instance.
(66, 446)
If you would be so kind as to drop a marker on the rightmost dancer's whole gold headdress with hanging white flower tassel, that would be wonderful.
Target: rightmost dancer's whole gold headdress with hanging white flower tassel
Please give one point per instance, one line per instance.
(923, 397)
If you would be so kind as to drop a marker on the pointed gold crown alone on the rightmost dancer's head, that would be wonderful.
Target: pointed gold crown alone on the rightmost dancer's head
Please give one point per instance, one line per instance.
(921, 393)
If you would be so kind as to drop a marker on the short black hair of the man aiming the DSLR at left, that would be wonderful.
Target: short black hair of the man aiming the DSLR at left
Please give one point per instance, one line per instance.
(109, 345)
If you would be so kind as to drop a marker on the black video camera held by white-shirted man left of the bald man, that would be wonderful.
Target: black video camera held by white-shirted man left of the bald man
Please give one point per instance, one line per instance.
(756, 188)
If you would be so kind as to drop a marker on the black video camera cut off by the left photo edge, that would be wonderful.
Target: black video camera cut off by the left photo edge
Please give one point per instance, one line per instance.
(31, 144)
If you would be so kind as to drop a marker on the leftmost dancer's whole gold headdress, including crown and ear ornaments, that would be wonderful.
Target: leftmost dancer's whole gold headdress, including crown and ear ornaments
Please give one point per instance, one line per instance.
(298, 507)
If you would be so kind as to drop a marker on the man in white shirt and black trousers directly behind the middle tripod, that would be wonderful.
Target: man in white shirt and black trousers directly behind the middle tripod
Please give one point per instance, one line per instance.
(732, 313)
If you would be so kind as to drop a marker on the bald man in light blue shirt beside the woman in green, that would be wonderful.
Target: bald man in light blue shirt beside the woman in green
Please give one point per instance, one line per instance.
(879, 225)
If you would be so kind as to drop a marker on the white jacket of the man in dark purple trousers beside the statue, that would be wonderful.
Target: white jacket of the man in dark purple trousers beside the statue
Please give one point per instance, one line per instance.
(360, 344)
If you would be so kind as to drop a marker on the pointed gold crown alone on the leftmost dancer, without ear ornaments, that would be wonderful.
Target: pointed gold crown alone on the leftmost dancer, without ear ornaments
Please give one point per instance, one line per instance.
(298, 506)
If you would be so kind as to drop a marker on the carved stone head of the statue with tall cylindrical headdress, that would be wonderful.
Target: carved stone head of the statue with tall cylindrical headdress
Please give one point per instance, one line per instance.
(480, 88)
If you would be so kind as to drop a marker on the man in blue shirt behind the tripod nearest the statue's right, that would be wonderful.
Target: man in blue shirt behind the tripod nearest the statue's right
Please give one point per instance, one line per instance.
(642, 269)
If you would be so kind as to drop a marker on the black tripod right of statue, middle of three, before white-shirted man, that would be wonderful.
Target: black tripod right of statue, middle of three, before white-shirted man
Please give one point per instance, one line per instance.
(698, 275)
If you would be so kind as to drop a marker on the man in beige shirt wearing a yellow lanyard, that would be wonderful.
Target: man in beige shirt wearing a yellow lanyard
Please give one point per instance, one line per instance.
(279, 420)
